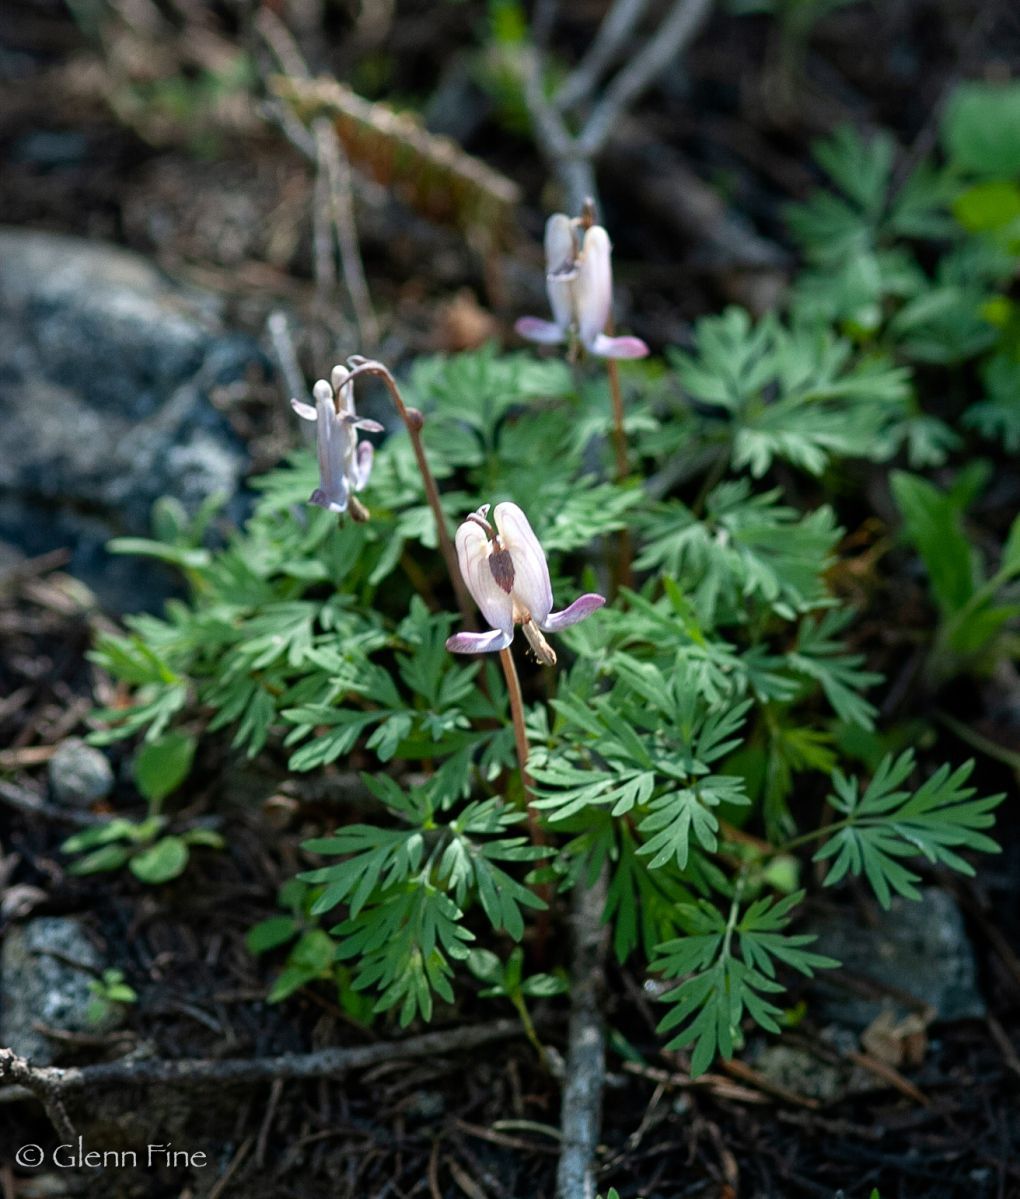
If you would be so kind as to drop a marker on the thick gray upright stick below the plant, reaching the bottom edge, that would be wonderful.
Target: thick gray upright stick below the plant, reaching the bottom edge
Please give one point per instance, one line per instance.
(586, 1073)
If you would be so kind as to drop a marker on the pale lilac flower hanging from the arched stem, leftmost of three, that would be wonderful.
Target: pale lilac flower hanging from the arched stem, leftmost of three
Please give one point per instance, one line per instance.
(345, 466)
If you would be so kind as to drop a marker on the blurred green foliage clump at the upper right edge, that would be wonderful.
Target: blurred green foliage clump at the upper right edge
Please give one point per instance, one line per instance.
(919, 266)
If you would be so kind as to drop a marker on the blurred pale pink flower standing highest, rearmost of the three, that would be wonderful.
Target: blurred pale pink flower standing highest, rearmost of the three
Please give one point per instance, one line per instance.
(580, 285)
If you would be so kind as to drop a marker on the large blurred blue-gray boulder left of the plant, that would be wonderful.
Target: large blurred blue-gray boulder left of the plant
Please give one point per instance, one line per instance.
(106, 375)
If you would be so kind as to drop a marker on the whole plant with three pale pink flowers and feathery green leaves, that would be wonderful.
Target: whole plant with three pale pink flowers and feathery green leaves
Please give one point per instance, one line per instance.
(698, 738)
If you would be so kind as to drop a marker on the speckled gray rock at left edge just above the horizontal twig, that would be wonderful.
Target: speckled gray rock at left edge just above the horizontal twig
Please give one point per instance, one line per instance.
(46, 968)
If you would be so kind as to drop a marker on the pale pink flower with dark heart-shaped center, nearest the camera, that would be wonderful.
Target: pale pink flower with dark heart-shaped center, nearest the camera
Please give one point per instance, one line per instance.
(506, 573)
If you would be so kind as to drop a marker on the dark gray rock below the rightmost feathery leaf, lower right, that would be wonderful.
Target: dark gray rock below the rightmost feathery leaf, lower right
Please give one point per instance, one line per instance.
(920, 949)
